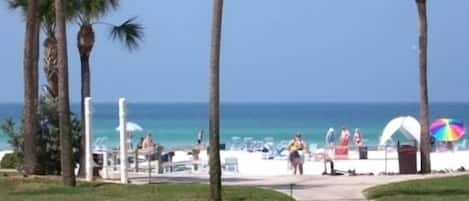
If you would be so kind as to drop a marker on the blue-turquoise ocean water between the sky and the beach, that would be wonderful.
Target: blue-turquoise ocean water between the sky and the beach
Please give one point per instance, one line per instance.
(177, 124)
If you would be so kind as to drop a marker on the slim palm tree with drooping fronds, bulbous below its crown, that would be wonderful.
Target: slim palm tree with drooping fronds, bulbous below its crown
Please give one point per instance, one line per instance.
(88, 14)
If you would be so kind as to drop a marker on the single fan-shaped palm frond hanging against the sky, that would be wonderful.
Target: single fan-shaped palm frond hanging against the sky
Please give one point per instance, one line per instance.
(130, 33)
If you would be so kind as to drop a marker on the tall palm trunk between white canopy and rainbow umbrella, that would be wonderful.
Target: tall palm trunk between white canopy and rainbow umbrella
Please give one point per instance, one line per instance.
(424, 136)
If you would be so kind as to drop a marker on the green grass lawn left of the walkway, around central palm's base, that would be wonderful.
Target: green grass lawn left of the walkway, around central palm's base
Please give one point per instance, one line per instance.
(40, 189)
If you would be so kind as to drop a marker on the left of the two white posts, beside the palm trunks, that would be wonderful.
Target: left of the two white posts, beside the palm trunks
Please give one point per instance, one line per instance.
(88, 155)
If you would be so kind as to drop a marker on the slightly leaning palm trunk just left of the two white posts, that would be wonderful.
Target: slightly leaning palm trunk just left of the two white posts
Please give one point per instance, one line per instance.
(68, 175)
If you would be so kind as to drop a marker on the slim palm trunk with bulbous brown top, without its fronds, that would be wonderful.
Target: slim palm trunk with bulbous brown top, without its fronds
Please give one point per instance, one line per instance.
(85, 42)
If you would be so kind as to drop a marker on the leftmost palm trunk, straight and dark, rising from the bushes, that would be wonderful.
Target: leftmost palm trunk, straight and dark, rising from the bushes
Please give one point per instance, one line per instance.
(30, 102)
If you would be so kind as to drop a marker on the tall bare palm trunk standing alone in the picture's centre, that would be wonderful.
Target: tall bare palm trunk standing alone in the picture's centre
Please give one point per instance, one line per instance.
(214, 111)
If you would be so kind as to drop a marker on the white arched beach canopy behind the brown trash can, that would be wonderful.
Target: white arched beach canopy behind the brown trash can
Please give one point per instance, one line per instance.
(407, 125)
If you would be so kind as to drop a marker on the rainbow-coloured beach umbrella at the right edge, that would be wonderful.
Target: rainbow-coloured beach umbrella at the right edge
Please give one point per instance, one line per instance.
(447, 130)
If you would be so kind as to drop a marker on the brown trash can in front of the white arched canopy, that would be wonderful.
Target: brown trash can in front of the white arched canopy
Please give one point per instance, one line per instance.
(407, 156)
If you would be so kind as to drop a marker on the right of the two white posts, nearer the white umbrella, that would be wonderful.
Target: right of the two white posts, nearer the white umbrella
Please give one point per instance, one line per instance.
(123, 140)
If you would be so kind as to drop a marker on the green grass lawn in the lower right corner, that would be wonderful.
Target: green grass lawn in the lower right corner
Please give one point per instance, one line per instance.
(446, 188)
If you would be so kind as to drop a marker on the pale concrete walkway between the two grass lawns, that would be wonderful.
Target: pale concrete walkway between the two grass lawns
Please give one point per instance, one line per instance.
(303, 188)
